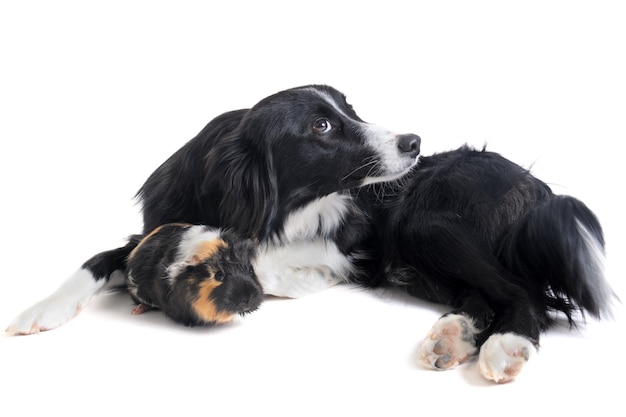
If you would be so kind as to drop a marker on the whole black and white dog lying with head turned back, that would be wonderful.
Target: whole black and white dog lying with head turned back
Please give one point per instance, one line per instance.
(466, 228)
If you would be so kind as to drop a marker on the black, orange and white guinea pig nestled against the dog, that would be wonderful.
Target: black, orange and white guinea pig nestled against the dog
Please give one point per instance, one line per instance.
(197, 275)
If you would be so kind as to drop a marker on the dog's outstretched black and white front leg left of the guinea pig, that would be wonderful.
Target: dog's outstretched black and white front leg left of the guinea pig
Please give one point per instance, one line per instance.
(103, 271)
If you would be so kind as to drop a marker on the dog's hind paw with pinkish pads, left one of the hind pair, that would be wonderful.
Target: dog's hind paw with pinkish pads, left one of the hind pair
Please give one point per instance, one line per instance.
(449, 343)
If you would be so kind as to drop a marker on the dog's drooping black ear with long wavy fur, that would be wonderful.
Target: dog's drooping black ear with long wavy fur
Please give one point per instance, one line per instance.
(239, 168)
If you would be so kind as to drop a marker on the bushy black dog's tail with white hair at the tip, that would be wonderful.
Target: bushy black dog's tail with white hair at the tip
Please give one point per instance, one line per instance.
(559, 246)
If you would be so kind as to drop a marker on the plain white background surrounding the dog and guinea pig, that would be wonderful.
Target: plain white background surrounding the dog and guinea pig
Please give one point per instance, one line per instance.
(95, 95)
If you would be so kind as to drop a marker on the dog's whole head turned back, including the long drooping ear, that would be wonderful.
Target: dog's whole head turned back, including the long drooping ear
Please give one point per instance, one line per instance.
(299, 145)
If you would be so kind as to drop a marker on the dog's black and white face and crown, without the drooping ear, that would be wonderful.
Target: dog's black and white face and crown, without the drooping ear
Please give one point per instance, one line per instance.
(315, 138)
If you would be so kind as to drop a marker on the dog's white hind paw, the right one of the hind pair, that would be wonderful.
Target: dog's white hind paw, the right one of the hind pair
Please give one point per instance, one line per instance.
(503, 356)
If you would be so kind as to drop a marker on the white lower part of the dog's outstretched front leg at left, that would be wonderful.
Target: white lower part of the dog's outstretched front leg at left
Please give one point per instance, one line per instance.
(59, 307)
